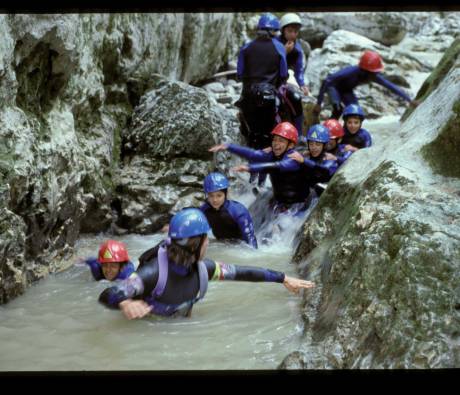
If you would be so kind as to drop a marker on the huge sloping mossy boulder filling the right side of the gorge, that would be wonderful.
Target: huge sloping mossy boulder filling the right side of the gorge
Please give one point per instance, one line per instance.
(385, 254)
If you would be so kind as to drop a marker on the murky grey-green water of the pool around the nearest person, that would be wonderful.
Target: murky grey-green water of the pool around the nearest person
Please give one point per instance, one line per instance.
(59, 325)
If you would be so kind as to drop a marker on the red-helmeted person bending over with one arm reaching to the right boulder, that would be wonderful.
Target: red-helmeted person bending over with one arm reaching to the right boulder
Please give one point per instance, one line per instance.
(339, 85)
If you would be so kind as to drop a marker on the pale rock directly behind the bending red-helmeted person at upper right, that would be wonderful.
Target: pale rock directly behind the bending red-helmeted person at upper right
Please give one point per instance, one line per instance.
(343, 48)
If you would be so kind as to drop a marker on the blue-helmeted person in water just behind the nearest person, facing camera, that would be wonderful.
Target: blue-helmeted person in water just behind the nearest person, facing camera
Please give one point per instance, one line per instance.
(228, 219)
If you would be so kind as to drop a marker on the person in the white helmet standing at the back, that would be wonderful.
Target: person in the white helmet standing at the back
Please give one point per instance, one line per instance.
(290, 24)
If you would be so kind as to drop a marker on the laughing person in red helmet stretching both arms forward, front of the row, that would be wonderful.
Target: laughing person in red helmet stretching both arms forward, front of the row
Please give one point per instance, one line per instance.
(285, 173)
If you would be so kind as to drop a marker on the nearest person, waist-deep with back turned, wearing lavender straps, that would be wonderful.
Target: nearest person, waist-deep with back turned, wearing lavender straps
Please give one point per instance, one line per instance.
(174, 275)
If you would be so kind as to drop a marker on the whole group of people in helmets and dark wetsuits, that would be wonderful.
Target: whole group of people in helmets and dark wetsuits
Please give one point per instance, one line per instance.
(173, 275)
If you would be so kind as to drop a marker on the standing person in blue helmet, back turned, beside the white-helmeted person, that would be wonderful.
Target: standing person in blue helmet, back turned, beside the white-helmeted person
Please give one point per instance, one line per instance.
(262, 68)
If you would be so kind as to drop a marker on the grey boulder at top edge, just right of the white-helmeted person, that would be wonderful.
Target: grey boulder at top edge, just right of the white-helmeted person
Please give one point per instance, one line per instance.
(387, 28)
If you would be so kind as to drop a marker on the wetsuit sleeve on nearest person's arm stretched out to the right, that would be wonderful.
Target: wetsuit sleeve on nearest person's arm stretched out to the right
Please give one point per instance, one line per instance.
(219, 271)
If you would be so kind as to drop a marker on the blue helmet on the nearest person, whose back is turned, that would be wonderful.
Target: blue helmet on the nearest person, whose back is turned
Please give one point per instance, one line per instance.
(187, 223)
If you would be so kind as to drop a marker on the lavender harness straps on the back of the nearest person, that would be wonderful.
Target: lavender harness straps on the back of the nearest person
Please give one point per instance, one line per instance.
(185, 307)
